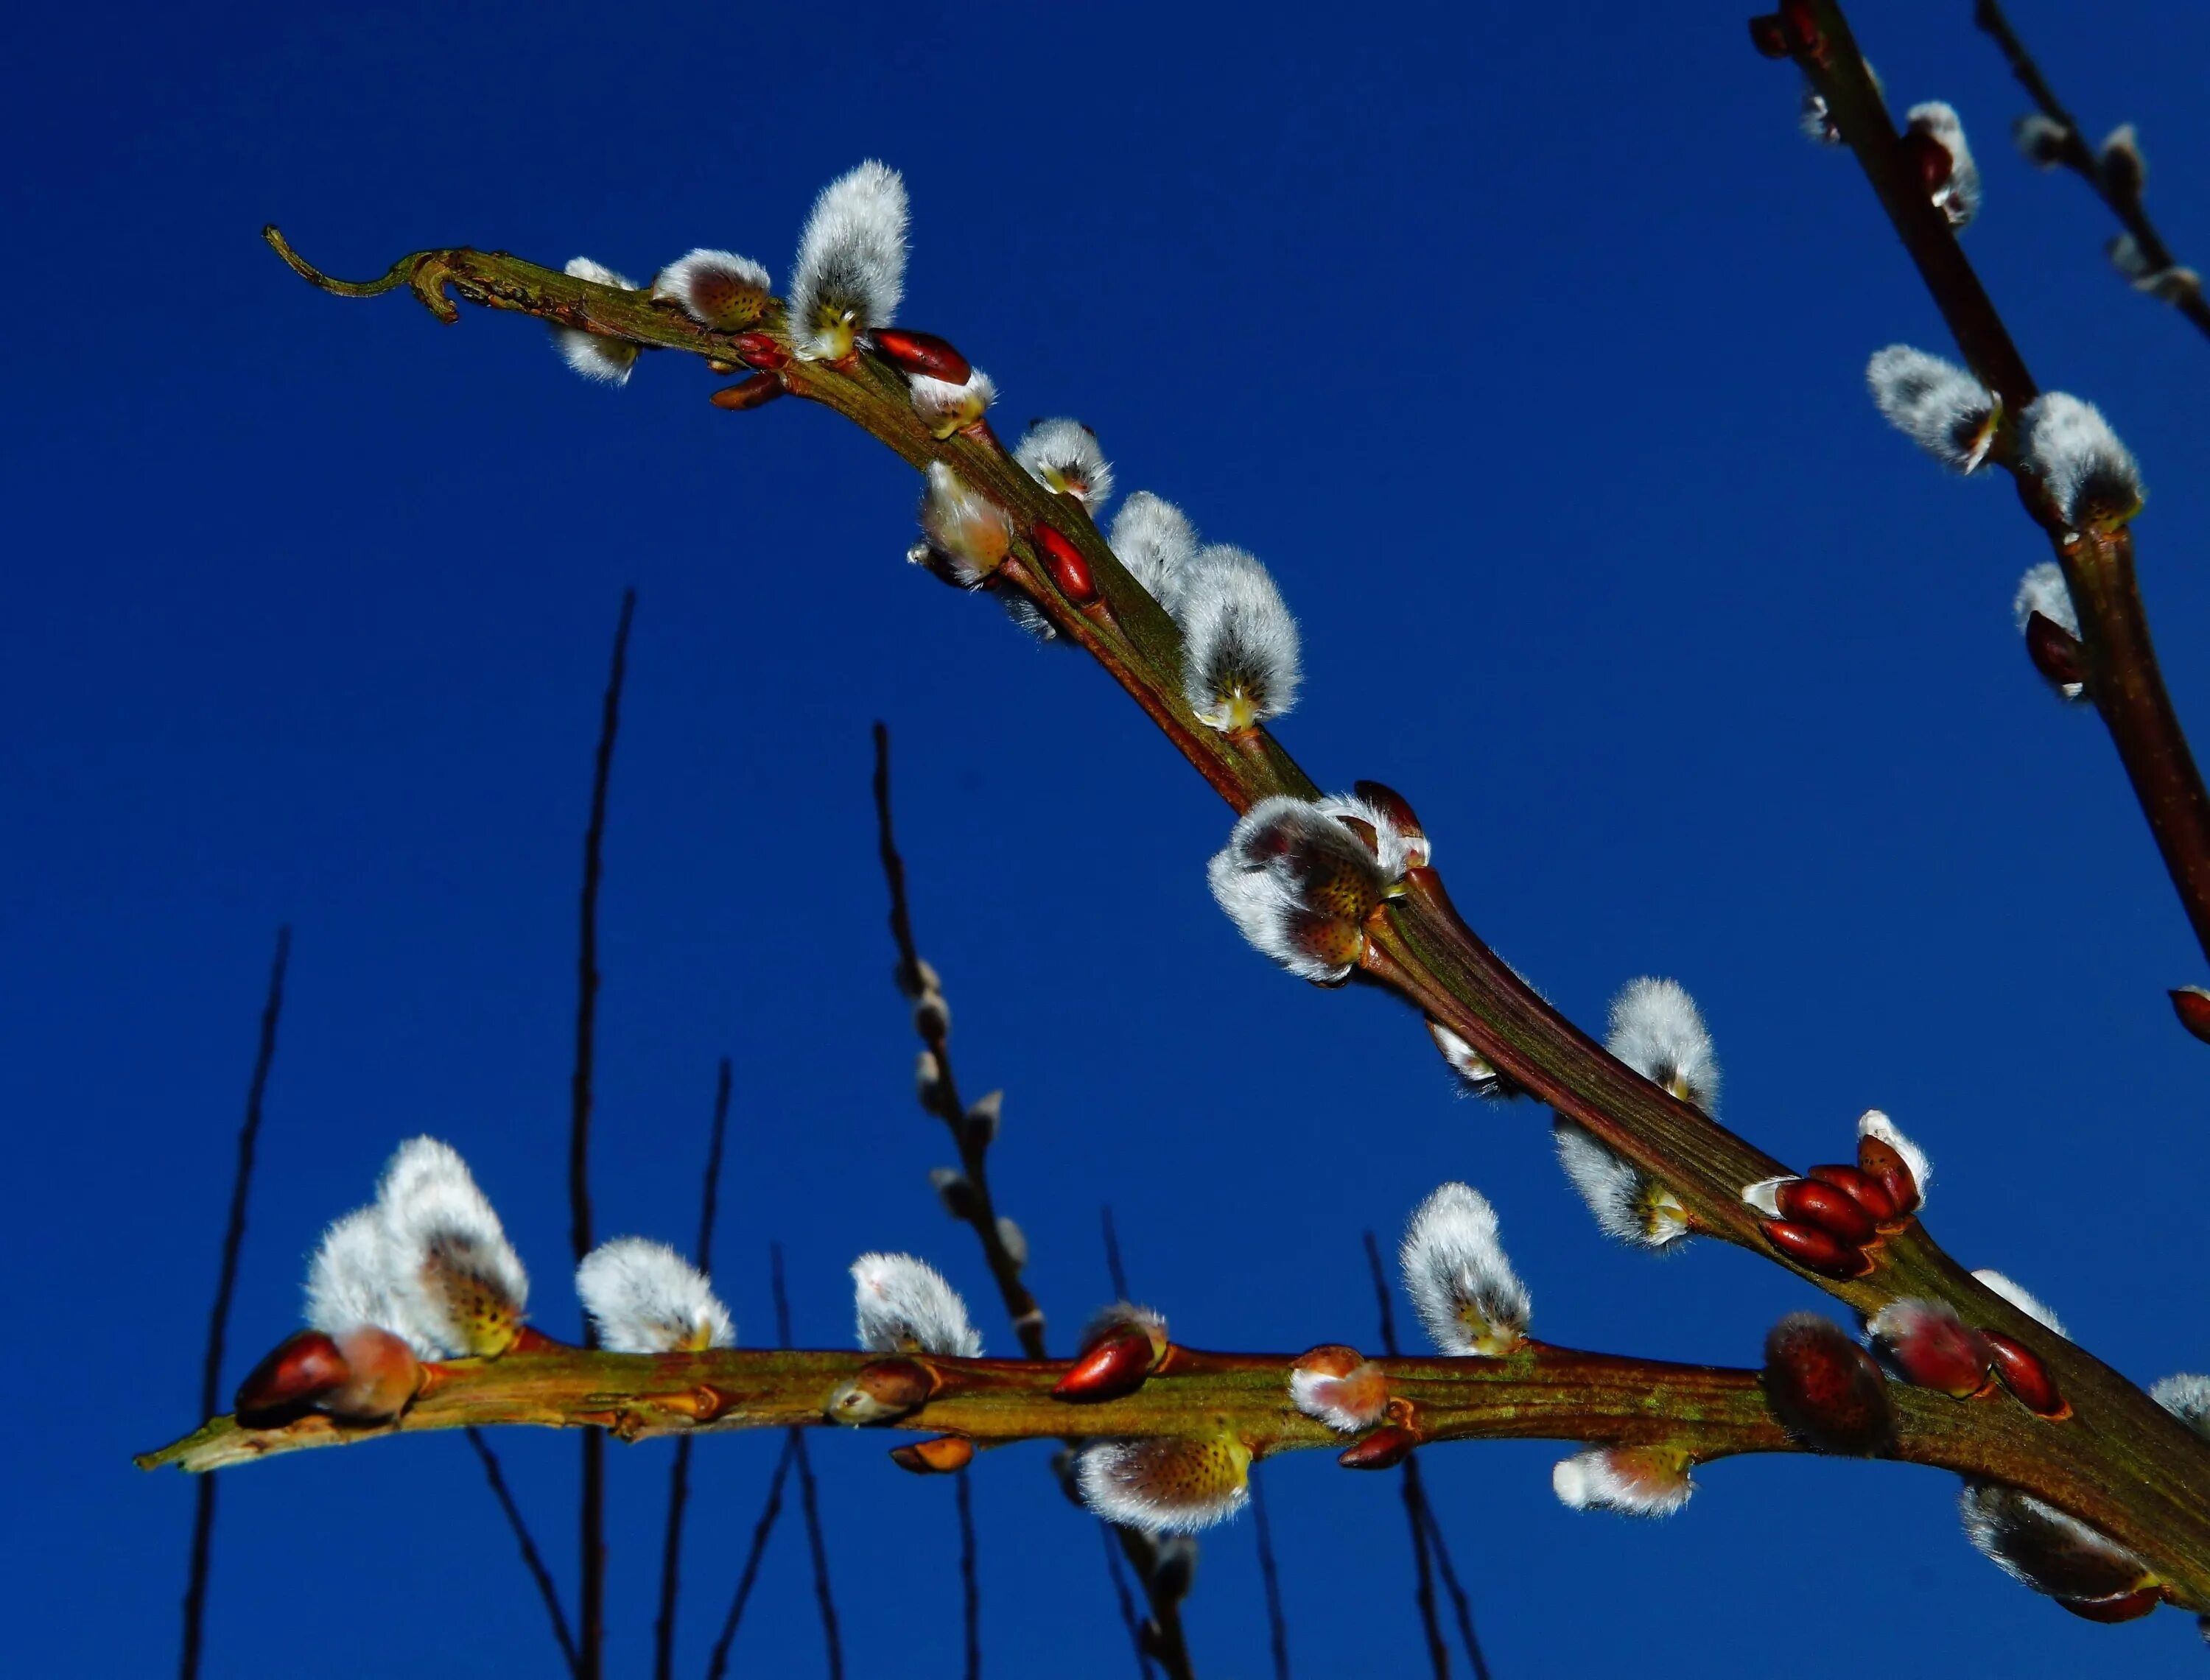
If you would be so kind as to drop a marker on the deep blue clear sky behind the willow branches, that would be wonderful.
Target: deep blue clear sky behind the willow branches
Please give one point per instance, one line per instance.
(1526, 344)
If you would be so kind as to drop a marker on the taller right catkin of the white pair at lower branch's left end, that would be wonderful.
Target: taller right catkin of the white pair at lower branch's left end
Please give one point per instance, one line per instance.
(454, 1270)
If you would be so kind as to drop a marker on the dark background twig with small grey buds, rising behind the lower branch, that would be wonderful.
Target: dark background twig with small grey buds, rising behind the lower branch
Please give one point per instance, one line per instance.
(974, 1144)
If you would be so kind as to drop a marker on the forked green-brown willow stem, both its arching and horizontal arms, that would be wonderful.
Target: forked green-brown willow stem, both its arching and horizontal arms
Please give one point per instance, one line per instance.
(2118, 1462)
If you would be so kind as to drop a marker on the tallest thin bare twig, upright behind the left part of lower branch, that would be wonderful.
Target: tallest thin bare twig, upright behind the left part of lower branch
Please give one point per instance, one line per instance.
(587, 1016)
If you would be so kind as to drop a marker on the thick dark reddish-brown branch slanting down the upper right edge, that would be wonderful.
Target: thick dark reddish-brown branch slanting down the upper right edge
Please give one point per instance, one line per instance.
(2123, 678)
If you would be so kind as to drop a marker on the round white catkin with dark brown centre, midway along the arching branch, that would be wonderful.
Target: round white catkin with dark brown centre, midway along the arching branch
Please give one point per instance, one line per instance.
(1265, 876)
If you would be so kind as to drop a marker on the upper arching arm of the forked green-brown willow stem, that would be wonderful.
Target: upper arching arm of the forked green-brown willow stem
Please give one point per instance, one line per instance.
(2118, 1462)
